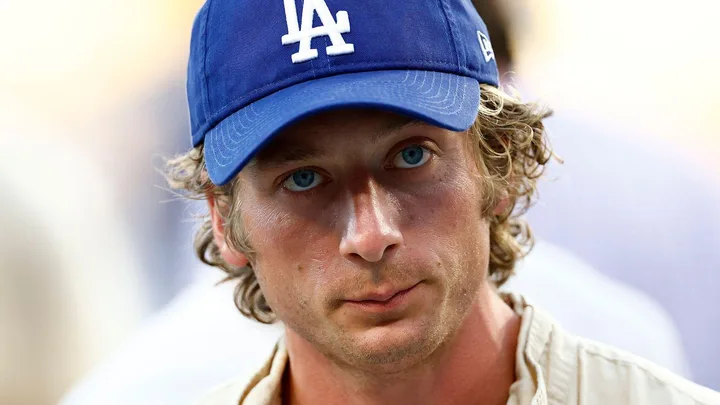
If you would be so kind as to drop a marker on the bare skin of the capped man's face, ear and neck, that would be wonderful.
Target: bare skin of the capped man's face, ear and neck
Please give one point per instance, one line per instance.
(376, 219)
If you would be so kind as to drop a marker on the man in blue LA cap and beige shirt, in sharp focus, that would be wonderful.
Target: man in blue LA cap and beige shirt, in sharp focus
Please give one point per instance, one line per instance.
(364, 187)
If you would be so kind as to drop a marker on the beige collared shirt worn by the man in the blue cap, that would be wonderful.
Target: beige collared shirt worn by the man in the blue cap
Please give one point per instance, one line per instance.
(552, 367)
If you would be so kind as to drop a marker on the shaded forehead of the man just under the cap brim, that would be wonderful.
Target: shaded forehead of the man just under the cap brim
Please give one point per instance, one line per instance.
(325, 131)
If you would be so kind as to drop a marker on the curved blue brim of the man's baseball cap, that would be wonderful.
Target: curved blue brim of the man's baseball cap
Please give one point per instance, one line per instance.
(447, 100)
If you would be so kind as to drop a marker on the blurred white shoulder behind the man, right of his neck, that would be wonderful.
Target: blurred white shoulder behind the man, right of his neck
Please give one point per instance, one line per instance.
(551, 277)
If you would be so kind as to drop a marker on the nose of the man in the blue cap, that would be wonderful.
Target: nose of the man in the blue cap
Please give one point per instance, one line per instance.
(371, 230)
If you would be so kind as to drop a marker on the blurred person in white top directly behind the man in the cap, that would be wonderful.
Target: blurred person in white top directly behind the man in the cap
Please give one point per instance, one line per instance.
(200, 339)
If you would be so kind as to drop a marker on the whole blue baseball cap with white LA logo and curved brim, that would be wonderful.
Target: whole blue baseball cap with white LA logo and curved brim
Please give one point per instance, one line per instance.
(257, 66)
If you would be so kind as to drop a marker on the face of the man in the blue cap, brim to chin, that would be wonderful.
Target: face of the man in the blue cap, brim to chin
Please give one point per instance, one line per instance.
(368, 234)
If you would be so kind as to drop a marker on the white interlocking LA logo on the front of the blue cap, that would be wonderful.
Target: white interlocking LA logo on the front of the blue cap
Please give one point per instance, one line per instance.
(304, 32)
